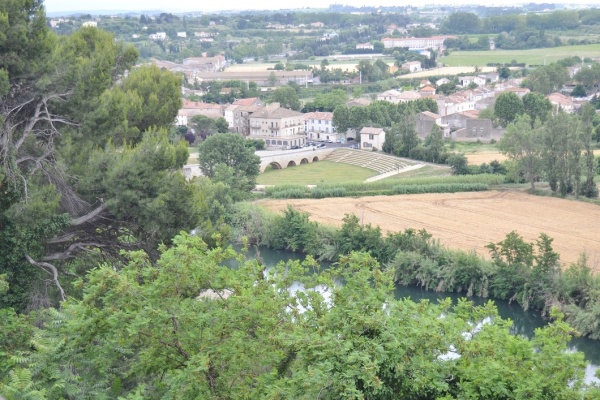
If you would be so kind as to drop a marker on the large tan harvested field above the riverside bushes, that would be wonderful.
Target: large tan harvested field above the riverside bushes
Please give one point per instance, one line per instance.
(470, 221)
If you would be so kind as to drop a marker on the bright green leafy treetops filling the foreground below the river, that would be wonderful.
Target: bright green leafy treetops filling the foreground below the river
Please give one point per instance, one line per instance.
(188, 326)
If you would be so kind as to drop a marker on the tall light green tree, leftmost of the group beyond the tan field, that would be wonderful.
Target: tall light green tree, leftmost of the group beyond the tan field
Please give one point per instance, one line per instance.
(523, 144)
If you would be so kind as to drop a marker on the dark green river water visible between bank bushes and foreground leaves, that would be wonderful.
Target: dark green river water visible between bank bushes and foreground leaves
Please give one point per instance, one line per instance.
(524, 322)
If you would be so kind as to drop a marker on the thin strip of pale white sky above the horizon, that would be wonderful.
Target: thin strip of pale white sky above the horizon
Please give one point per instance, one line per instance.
(203, 5)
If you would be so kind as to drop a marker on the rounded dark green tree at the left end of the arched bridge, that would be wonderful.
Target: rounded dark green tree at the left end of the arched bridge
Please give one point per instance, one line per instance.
(225, 158)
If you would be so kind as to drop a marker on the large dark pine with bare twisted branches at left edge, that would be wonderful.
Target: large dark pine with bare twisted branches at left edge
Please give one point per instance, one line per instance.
(59, 206)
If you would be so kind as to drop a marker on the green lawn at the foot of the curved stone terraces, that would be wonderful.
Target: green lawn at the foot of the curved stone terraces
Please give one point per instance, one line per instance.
(315, 173)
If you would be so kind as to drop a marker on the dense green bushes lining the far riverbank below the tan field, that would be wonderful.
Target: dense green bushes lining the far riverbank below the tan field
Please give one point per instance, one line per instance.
(528, 273)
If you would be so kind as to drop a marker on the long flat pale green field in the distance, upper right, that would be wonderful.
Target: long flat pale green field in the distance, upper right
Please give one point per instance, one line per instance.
(529, 56)
